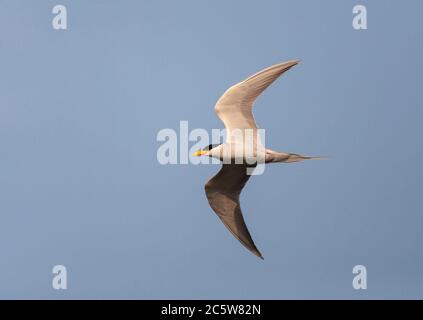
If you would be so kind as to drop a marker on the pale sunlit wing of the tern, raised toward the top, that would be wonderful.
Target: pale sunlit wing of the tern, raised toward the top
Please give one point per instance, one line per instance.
(234, 107)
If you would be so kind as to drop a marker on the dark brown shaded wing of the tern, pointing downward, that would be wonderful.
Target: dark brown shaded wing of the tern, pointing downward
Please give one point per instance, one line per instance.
(223, 192)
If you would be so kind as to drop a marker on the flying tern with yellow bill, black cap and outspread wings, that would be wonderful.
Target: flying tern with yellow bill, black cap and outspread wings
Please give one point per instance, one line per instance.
(240, 153)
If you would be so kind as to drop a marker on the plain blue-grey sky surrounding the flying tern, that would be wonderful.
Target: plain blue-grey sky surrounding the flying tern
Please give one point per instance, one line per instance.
(80, 184)
